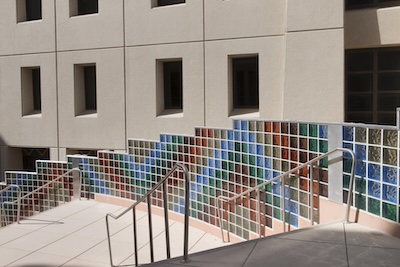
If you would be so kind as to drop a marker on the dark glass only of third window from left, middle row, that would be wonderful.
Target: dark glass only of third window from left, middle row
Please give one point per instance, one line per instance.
(172, 84)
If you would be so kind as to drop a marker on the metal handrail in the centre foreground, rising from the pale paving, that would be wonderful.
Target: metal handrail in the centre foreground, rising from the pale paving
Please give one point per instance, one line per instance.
(147, 197)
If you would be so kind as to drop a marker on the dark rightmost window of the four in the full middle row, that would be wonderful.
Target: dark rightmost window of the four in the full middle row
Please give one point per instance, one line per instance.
(245, 82)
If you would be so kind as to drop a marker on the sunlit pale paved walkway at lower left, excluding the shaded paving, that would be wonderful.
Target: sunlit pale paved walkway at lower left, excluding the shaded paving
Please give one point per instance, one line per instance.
(74, 234)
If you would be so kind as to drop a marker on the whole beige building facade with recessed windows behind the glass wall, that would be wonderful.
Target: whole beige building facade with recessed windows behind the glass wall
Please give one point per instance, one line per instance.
(83, 75)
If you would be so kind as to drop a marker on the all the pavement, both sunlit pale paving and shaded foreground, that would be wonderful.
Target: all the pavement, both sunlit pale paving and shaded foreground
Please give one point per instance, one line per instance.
(74, 235)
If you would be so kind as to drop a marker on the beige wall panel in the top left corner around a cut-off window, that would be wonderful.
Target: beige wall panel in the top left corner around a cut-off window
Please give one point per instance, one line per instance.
(26, 37)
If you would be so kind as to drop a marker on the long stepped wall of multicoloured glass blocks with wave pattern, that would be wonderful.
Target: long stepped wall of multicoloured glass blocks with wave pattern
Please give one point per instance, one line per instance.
(230, 161)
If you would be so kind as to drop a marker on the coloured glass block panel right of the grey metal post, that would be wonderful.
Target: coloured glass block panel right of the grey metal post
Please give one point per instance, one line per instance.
(377, 179)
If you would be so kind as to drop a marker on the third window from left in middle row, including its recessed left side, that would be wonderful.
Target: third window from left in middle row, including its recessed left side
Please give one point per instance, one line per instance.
(169, 86)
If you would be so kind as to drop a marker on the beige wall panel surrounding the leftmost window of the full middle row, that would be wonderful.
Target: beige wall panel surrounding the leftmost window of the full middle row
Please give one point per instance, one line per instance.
(39, 130)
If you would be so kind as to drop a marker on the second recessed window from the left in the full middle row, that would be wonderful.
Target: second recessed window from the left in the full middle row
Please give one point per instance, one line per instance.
(85, 89)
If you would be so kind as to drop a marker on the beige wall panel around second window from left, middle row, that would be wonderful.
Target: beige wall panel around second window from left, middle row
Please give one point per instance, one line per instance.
(106, 128)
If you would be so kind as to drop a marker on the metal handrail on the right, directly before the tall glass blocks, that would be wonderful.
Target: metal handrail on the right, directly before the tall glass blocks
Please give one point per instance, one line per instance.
(280, 177)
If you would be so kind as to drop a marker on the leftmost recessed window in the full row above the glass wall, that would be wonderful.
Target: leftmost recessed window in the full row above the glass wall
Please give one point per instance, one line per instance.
(30, 90)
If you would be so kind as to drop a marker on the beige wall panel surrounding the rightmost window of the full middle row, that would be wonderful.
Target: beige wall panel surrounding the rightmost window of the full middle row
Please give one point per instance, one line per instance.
(270, 52)
